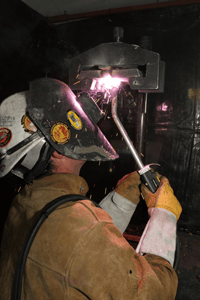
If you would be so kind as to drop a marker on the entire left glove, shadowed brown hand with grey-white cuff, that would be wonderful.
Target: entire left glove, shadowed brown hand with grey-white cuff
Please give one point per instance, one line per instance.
(121, 203)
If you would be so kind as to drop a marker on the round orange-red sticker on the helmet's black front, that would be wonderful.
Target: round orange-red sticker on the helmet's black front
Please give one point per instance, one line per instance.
(60, 133)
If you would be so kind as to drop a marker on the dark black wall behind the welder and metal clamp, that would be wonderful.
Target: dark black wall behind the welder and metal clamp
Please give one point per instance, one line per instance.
(30, 48)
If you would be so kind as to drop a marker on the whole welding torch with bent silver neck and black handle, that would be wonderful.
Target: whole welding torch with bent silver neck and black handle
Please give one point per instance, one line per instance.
(149, 178)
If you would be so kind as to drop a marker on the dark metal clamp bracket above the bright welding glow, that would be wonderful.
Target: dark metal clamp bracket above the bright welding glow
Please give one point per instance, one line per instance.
(141, 68)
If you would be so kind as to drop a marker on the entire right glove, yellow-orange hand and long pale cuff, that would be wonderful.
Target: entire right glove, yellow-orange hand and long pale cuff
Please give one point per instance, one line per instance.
(159, 236)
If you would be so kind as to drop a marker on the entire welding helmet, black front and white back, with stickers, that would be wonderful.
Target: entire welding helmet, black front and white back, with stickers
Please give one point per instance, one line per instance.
(49, 117)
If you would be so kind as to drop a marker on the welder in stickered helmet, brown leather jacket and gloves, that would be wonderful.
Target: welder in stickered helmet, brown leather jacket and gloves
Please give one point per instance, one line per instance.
(79, 252)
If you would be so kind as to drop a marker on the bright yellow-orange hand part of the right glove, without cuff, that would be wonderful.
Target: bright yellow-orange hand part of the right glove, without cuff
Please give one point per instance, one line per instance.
(164, 198)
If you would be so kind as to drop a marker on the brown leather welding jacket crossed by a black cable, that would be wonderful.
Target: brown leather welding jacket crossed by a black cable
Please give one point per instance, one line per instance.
(78, 253)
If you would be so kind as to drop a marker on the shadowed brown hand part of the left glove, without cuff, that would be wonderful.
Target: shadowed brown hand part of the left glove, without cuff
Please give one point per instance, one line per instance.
(128, 187)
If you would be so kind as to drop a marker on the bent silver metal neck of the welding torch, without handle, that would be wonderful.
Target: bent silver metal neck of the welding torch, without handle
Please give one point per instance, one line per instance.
(124, 133)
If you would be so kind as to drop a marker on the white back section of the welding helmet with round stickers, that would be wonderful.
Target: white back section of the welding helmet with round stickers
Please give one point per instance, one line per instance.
(18, 135)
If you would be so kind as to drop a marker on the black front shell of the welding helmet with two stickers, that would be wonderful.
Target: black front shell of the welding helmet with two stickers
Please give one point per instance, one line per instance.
(61, 118)
